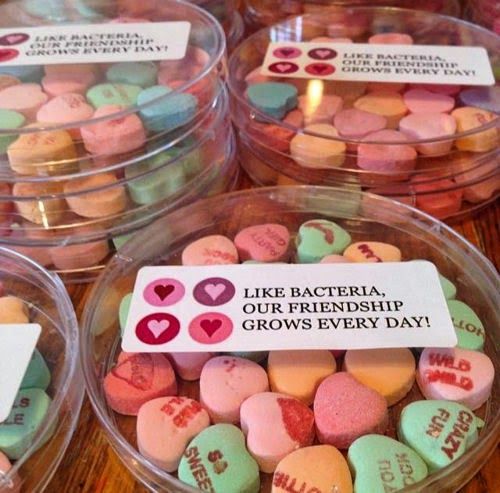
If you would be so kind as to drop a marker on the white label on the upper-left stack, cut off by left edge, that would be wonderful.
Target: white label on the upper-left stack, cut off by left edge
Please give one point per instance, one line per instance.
(94, 43)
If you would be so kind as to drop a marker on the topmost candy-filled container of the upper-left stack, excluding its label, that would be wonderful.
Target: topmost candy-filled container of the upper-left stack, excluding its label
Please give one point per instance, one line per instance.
(82, 116)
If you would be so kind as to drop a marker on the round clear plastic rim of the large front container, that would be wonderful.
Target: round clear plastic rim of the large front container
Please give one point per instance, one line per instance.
(461, 248)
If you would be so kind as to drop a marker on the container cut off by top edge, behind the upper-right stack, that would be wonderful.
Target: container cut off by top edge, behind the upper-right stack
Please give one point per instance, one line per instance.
(261, 13)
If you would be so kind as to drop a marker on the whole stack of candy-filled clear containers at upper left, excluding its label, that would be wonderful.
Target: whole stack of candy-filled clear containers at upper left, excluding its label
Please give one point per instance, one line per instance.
(93, 152)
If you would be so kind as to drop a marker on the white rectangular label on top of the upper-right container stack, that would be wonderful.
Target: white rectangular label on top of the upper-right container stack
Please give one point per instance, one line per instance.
(425, 64)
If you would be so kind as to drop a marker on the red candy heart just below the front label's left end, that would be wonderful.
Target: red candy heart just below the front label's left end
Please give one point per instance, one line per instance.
(137, 378)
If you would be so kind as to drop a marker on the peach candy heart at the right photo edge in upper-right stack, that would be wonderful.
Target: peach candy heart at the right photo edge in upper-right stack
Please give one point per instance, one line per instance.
(470, 118)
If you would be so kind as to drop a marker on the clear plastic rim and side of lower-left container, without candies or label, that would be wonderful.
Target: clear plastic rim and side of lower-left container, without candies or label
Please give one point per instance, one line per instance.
(49, 306)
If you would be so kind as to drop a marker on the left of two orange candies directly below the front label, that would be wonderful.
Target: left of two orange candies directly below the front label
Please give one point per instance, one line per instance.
(299, 373)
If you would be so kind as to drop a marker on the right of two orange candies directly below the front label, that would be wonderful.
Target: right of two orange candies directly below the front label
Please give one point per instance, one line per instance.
(389, 371)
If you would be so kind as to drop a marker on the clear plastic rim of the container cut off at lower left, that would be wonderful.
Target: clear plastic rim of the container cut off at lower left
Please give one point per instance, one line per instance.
(71, 367)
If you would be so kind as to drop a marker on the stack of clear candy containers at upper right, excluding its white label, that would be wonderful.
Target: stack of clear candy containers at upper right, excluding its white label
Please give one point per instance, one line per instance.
(447, 175)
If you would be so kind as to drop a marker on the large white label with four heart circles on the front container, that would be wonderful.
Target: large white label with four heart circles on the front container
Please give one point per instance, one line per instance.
(297, 306)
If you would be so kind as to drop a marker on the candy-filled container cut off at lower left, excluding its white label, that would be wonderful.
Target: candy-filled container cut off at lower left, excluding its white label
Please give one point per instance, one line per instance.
(38, 430)
